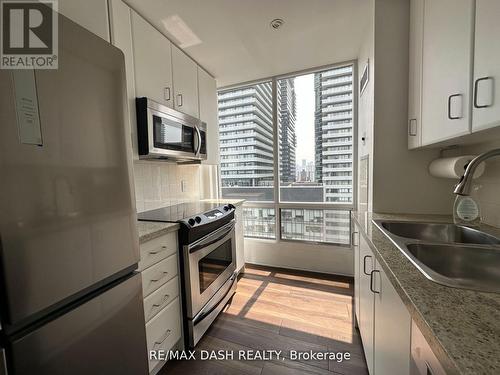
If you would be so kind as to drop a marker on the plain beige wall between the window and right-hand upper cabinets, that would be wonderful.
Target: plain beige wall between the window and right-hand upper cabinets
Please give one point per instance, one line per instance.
(400, 179)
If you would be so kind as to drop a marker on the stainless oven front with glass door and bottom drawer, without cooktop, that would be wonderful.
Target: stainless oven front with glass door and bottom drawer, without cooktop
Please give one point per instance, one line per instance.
(210, 277)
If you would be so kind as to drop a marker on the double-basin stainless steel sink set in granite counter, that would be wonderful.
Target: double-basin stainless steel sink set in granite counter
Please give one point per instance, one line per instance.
(448, 254)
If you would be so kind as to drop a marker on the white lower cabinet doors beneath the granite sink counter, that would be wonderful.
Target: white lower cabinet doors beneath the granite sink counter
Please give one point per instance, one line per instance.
(383, 320)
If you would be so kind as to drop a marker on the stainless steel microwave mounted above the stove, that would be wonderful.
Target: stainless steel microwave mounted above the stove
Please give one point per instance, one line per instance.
(164, 133)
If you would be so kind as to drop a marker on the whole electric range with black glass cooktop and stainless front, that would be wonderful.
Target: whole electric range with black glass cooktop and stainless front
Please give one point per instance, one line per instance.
(208, 260)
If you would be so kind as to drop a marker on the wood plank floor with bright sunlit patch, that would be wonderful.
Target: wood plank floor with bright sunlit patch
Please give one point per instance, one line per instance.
(276, 309)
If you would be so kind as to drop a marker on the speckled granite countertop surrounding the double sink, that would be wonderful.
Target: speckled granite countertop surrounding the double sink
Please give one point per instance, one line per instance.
(461, 326)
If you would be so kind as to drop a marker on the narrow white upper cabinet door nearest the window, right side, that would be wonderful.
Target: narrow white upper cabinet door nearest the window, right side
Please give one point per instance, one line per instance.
(415, 76)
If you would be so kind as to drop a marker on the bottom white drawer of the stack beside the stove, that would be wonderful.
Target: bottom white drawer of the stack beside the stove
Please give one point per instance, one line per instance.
(164, 330)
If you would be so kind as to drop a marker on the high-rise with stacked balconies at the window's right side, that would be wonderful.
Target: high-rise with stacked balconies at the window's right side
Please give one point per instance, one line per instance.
(334, 133)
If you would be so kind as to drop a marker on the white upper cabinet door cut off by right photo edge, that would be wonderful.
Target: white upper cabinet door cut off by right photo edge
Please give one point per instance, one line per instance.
(486, 111)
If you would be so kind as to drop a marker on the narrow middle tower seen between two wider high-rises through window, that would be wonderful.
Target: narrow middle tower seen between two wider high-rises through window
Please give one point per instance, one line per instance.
(286, 129)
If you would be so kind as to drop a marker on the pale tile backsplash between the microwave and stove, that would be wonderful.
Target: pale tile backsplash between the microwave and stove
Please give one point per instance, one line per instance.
(159, 184)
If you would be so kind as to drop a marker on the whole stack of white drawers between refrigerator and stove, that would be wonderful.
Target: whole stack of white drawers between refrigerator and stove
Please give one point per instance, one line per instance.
(159, 268)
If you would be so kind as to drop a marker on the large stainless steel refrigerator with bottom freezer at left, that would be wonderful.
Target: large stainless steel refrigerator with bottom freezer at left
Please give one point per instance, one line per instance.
(70, 301)
